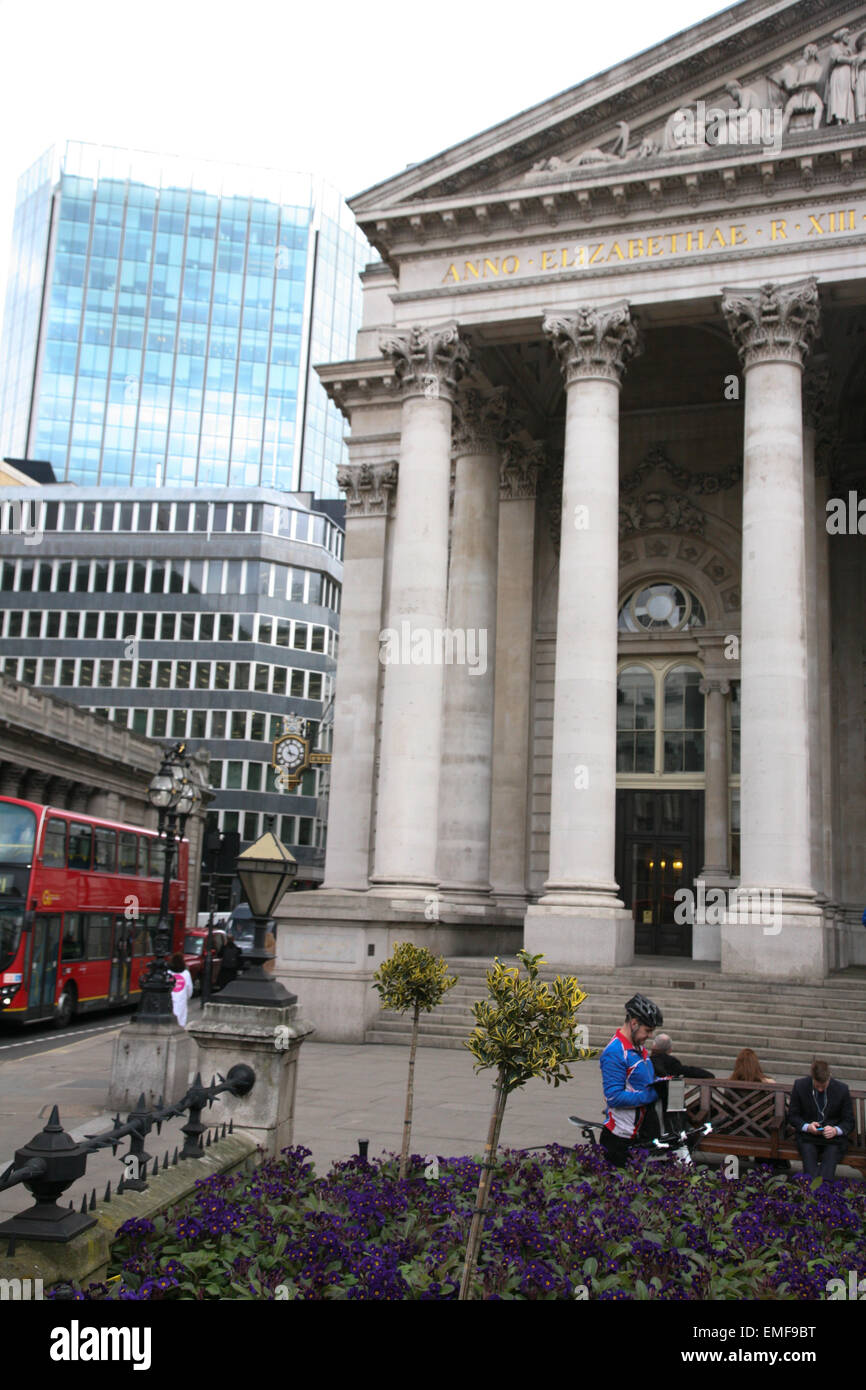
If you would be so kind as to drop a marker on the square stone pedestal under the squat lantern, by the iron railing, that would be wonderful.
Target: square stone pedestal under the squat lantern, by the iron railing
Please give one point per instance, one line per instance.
(269, 1039)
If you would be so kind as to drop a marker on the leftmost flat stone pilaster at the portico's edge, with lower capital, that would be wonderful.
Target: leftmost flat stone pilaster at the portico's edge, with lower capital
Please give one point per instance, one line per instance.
(369, 490)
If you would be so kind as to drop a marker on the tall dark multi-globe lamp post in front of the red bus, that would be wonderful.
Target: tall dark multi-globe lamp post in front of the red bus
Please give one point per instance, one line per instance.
(174, 794)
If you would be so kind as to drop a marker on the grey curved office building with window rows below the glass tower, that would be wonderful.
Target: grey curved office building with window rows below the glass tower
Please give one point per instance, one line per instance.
(202, 615)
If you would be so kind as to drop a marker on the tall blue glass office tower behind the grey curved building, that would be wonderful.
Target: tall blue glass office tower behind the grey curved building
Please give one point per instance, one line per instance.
(163, 320)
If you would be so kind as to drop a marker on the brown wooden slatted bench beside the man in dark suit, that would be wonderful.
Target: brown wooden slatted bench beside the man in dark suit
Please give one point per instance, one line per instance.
(750, 1120)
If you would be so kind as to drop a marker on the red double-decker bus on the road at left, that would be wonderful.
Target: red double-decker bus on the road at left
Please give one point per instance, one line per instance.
(80, 900)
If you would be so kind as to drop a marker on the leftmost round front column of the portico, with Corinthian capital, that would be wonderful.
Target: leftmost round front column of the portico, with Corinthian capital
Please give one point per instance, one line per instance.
(429, 363)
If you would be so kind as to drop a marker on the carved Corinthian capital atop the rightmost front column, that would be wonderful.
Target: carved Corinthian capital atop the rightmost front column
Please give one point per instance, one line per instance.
(776, 323)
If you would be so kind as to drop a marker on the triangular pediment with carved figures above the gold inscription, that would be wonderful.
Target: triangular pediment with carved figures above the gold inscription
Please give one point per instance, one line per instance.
(740, 88)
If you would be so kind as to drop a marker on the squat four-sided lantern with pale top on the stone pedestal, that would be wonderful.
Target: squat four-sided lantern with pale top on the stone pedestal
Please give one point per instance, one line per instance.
(266, 871)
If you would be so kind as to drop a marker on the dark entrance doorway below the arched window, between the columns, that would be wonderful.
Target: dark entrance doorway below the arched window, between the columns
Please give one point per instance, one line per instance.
(660, 849)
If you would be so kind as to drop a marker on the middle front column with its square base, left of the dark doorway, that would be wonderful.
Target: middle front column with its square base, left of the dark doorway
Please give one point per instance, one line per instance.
(582, 919)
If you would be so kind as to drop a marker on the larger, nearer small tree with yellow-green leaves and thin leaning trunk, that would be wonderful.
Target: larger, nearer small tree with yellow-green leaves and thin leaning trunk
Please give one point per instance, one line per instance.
(526, 1029)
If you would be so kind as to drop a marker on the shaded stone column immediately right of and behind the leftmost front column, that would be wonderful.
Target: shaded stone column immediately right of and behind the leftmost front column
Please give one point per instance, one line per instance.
(468, 750)
